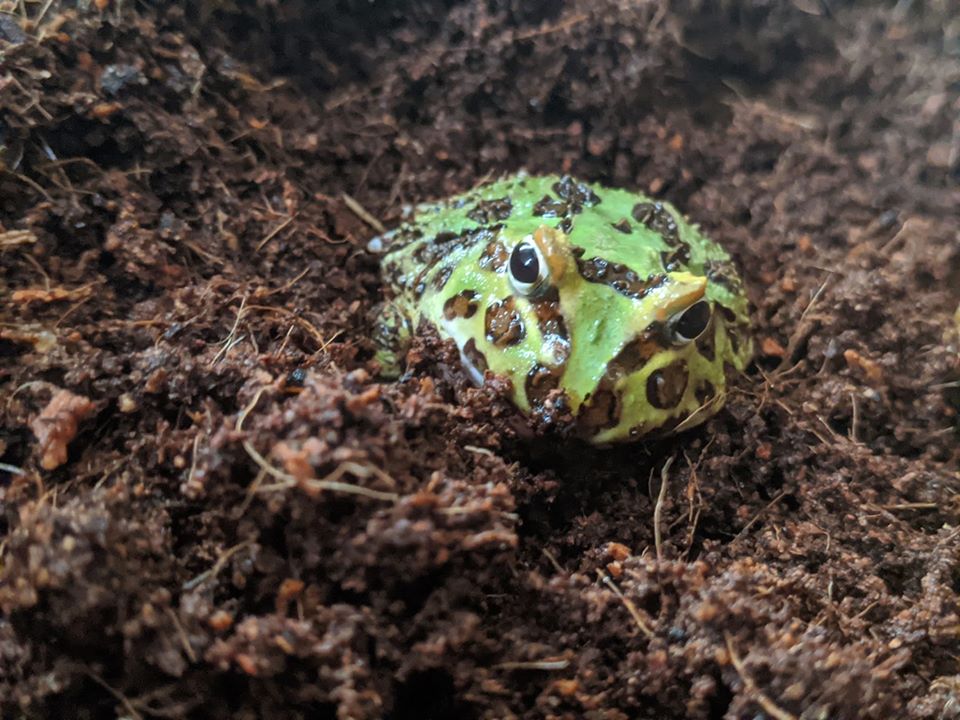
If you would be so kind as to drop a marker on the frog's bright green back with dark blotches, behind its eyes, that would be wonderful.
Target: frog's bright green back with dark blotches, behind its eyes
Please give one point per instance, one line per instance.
(621, 227)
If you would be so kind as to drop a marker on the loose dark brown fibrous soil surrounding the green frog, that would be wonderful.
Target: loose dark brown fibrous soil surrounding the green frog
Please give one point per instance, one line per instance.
(212, 507)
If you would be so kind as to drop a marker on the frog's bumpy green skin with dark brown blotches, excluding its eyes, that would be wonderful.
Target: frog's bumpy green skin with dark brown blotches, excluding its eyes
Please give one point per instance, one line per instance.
(597, 340)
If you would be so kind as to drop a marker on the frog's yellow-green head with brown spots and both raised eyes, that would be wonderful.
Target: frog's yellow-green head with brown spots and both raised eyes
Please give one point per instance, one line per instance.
(590, 330)
